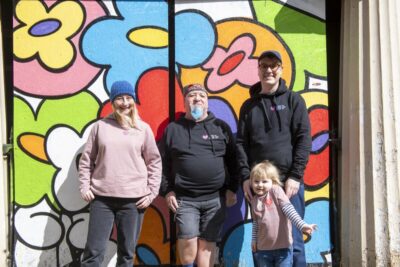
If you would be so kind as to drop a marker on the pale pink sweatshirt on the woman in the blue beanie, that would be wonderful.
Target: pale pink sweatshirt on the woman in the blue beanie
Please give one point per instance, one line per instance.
(118, 162)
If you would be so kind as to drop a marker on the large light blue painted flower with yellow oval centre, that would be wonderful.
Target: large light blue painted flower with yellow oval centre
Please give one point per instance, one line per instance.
(137, 40)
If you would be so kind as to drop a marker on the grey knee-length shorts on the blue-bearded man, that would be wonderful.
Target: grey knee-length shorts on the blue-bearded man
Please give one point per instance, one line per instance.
(203, 219)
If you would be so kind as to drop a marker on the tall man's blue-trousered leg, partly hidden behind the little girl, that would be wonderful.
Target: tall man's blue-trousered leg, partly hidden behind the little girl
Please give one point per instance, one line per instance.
(299, 258)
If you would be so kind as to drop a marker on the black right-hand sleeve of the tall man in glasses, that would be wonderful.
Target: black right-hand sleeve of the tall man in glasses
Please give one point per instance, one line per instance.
(301, 137)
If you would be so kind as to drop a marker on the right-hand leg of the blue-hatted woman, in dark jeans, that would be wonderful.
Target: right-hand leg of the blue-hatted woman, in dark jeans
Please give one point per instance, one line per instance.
(128, 220)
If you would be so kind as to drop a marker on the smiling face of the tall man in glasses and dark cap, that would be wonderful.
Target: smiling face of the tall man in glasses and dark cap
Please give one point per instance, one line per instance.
(269, 71)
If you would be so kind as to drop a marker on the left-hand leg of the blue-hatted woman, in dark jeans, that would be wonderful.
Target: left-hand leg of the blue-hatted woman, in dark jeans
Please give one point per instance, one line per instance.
(100, 225)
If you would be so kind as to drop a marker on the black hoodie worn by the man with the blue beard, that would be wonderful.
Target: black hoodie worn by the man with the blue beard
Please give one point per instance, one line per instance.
(198, 158)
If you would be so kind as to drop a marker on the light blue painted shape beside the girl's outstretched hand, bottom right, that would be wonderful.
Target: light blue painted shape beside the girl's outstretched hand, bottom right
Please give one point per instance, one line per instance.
(318, 213)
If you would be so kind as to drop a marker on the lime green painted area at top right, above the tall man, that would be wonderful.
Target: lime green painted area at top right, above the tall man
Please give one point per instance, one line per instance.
(304, 35)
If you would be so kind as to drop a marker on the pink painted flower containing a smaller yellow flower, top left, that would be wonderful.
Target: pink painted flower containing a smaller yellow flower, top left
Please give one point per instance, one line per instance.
(47, 58)
